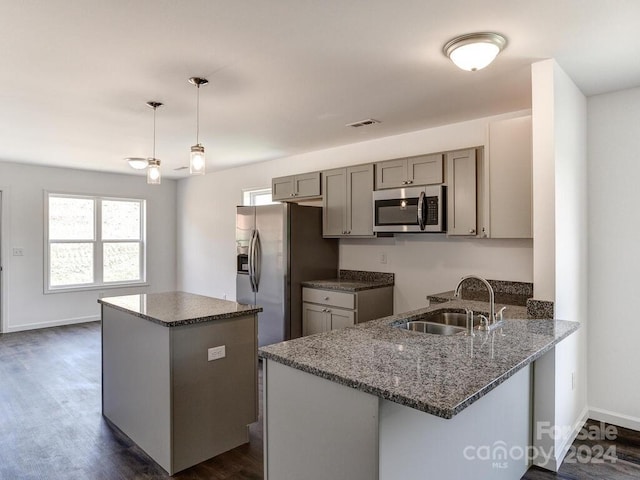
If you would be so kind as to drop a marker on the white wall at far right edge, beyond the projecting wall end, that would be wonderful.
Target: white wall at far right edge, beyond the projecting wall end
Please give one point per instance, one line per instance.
(614, 257)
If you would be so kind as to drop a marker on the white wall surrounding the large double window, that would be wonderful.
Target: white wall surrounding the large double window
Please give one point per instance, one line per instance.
(25, 306)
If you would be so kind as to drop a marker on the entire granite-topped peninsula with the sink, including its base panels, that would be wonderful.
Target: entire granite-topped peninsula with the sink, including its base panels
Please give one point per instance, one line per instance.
(374, 401)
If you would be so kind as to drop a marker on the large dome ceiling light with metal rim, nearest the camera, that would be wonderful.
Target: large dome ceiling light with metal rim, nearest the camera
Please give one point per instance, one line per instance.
(474, 51)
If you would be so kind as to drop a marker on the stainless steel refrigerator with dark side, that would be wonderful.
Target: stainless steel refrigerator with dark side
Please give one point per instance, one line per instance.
(279, 246)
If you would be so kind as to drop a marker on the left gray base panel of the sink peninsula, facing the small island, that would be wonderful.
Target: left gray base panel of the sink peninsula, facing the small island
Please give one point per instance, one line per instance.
(316, 429)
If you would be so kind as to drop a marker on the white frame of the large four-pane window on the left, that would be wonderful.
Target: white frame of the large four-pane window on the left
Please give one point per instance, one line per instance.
(98, 242)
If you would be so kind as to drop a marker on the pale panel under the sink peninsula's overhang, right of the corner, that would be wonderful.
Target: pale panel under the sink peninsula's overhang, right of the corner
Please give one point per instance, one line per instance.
(490, 439)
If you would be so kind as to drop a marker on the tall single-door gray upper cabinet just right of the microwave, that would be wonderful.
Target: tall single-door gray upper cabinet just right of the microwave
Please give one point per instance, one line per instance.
(461, 193)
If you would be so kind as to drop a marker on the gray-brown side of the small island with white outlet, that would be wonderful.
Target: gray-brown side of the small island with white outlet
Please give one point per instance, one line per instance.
(213, 401)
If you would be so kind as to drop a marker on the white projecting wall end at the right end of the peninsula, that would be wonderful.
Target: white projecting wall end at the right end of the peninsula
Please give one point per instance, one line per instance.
(560, 247)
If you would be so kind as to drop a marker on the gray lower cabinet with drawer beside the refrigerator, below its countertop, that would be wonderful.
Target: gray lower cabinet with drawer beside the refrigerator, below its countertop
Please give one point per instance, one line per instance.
(325, 310)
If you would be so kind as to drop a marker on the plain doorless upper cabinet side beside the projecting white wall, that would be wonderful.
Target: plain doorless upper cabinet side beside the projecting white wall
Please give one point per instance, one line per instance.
(508, 195)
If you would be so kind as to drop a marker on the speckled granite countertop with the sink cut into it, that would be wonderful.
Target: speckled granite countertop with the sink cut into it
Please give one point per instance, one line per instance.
(440, 375)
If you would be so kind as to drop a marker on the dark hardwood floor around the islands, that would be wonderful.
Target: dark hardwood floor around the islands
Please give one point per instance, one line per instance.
(51, 425)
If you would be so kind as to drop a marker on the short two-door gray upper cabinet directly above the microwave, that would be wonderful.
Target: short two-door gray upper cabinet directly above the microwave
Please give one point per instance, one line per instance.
(419, 170)
